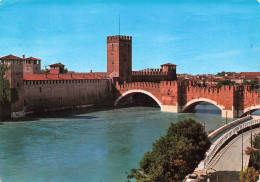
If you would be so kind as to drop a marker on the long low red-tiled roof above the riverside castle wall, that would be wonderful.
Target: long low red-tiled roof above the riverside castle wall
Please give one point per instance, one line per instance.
(60, 77)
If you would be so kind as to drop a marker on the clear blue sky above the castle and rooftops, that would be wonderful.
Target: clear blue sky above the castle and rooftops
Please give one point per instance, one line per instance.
(200, 36)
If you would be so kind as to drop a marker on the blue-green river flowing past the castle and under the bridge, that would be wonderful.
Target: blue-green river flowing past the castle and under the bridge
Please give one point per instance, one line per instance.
(98, 146)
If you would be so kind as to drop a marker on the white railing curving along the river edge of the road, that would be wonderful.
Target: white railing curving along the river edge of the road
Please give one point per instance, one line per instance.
(227, 136)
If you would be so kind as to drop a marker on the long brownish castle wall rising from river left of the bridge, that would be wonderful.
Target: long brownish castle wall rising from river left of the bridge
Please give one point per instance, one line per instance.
(46, 95)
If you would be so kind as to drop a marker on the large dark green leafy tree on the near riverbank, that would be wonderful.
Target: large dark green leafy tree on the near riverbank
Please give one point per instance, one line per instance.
(174, 155)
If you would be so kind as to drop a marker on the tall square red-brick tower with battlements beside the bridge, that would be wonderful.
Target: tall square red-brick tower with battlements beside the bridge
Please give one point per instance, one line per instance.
(119, 57)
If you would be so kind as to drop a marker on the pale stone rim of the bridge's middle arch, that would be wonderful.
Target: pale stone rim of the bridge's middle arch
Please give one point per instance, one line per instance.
(190, 106)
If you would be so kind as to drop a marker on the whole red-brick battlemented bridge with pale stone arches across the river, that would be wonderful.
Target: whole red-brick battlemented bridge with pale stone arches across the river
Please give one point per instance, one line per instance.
(175, 96)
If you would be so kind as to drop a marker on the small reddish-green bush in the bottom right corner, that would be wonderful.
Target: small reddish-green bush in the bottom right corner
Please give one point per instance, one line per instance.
(248, 175)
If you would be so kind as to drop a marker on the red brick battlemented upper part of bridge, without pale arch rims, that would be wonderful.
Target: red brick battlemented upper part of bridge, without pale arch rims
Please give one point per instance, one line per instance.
(173, 92)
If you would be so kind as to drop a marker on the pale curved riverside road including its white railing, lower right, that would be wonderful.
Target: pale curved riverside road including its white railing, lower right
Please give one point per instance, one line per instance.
(225, 153)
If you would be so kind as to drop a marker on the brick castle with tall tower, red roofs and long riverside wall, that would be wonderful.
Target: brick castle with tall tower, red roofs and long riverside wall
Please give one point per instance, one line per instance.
(42, 92)
